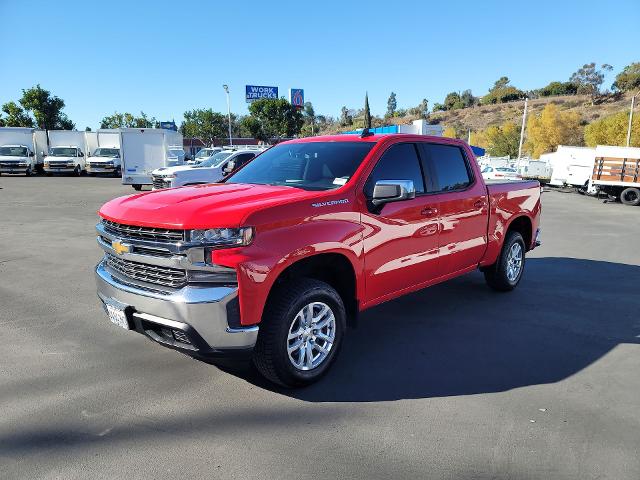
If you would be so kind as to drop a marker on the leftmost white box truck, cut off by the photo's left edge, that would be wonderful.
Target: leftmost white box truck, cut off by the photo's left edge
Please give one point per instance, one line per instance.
(22, 150)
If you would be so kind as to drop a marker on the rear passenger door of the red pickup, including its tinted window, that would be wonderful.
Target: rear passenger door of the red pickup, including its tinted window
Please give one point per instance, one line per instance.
(463, 209)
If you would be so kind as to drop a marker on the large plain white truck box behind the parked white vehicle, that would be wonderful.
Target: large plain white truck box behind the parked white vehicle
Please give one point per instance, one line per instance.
(143, 150)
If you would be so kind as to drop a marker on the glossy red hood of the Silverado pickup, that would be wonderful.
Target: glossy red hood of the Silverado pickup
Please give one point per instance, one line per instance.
(200, 206)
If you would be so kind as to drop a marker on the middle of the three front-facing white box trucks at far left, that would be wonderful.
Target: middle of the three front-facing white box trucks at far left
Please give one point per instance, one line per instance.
(67, 149)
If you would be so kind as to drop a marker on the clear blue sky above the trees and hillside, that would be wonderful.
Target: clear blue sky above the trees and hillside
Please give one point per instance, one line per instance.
(167, 57)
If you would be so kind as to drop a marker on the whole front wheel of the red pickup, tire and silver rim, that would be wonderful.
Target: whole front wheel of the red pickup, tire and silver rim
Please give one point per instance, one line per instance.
(301, 333)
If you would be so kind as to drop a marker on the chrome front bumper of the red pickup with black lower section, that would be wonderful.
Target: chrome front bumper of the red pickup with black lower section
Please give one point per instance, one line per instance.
(198, 314)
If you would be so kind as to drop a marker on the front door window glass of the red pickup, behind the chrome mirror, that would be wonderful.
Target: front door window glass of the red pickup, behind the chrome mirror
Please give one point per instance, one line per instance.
(399, 162)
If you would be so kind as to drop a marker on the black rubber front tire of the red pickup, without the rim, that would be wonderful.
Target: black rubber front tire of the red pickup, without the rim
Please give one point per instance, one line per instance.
(270, 355)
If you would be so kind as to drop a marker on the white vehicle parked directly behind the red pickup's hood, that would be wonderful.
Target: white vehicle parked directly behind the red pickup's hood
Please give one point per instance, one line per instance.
(210, 171)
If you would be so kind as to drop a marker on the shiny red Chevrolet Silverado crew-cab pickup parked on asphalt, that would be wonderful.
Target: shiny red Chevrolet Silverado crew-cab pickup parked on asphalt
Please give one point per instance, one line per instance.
(278, 259)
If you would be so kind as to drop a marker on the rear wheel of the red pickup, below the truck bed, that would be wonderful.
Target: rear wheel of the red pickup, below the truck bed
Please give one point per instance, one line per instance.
(506, 273)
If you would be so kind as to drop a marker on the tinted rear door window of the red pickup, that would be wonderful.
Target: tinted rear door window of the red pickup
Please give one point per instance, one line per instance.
(449, 166)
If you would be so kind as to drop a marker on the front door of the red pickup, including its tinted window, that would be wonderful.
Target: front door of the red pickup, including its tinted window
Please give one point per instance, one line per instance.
(400, 238)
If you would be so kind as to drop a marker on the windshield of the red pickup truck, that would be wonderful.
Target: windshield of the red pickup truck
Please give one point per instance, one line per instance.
(309, 165)
